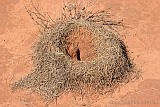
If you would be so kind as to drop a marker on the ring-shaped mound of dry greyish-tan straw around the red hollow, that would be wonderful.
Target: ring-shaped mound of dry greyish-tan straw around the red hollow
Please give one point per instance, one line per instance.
(56, 72)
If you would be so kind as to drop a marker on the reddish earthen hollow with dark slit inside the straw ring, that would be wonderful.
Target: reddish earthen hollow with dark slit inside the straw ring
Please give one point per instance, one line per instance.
(81, 45)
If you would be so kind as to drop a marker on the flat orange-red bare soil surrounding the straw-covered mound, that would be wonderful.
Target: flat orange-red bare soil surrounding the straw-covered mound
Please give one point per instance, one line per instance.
(18, 33)
